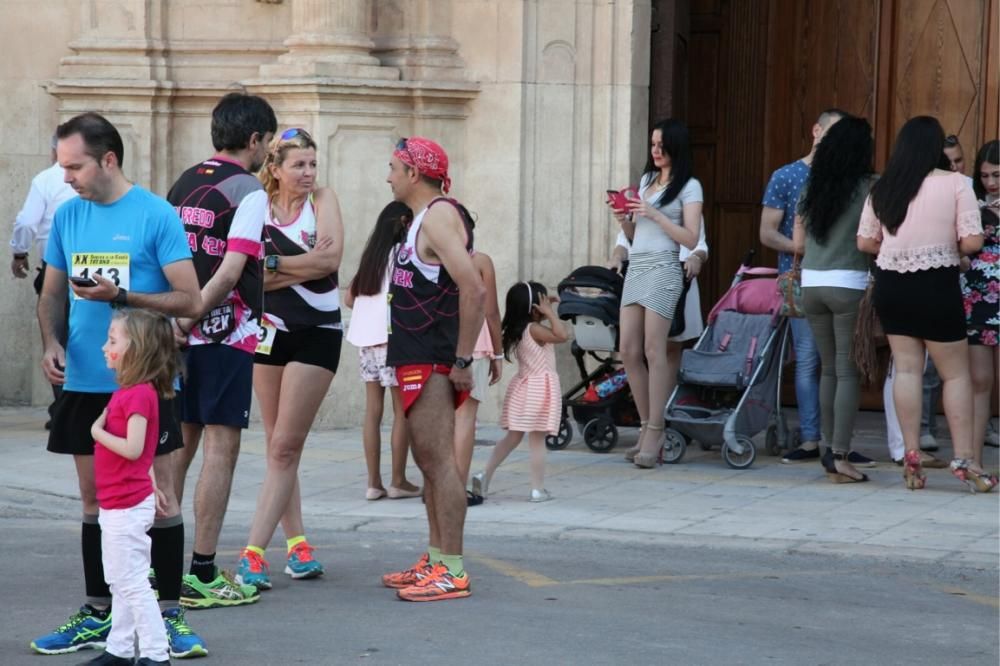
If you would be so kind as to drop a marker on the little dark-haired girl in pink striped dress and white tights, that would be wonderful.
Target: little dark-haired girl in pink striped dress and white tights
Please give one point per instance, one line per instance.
(533, 403)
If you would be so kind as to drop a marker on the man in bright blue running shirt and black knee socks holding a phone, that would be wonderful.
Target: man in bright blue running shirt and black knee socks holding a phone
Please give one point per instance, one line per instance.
(116, 245)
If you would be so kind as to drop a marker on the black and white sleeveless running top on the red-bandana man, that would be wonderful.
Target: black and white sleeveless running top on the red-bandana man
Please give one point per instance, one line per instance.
(423, 302)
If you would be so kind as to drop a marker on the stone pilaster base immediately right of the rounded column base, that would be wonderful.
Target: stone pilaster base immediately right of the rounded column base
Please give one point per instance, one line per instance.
(415, 37)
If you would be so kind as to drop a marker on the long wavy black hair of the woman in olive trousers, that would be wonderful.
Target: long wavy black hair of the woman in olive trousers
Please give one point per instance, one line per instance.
(843, 159)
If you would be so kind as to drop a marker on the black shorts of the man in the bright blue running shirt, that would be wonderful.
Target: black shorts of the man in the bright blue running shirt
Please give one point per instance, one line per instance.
(74, 413)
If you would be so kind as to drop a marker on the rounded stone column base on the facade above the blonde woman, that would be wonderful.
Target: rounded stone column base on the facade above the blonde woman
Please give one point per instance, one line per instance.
(330, 39)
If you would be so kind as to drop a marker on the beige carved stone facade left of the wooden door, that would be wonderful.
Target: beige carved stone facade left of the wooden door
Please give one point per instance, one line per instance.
(541, 105)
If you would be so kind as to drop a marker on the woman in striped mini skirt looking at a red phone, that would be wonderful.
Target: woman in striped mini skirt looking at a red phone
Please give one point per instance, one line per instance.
(665, 216)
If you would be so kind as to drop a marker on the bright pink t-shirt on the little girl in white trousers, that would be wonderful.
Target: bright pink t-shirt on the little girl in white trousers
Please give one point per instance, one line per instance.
(122, 483)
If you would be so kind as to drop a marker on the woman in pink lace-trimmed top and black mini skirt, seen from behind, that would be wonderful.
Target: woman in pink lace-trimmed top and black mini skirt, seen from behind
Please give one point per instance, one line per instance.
(920, 220)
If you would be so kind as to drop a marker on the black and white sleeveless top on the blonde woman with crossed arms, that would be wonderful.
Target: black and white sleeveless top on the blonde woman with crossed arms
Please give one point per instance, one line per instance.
(315, 303)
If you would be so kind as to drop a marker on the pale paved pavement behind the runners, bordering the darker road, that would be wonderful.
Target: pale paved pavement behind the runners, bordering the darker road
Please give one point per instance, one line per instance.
(699, 501)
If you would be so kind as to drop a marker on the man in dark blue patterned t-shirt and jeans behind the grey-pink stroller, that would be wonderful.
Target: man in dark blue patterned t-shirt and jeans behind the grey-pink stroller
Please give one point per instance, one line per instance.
(776, 222)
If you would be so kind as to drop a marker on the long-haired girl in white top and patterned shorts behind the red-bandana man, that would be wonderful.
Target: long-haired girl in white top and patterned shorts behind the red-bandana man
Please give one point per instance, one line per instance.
(368, 331)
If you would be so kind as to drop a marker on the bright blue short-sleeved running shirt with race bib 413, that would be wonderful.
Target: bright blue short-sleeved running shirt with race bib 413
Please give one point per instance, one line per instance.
(129, 242)
